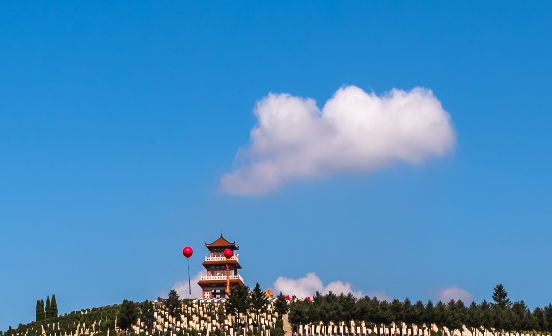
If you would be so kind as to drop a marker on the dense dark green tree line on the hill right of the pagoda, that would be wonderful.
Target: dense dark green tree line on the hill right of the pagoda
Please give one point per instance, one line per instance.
(499, 317)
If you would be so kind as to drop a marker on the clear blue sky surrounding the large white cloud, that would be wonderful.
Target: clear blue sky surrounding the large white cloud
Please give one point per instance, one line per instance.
(118, 120)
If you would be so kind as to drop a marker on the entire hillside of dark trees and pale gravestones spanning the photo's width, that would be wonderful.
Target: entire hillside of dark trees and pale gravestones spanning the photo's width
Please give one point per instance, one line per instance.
(249, 312)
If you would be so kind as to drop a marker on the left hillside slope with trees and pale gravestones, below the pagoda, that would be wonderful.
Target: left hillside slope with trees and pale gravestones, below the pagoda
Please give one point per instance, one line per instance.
(162, 317)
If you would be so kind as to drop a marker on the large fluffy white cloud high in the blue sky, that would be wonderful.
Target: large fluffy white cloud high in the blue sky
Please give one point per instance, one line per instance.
(354, 132)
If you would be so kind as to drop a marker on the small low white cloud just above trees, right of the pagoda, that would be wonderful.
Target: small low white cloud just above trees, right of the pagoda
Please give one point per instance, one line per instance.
(309, 285)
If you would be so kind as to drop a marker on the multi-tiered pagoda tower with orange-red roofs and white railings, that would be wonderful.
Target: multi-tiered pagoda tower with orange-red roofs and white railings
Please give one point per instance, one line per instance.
(214, 283)
